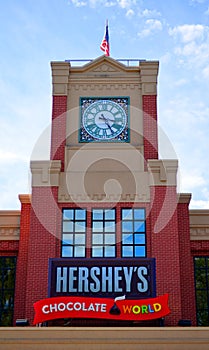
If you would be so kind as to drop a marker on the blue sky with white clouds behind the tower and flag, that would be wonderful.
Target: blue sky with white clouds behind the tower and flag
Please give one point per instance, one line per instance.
(33, 33)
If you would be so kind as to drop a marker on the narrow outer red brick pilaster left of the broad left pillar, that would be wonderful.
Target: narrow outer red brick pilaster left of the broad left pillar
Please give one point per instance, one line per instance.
(22, 263)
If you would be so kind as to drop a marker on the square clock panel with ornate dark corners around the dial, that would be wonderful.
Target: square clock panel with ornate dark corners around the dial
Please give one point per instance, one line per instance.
(104, 119)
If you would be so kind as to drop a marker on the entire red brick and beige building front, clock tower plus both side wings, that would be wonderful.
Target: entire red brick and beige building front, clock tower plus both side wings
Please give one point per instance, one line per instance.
(105, 208)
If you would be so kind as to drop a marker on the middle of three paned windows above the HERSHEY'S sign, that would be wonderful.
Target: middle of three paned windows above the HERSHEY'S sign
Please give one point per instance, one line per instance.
(103, 233)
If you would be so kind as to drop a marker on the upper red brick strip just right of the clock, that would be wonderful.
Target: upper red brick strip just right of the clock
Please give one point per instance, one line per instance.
(149, 103)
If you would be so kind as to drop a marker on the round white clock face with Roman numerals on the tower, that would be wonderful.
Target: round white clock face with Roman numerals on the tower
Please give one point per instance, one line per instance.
(104, 120)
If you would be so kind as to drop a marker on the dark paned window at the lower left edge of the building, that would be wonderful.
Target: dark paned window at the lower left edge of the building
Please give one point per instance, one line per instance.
(7, 285)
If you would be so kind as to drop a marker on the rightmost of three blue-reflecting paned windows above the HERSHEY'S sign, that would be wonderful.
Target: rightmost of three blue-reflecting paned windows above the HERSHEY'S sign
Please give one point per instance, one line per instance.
(133, 233)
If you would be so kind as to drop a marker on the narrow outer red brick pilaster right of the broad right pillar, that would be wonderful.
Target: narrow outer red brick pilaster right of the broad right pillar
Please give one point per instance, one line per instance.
(186, 265)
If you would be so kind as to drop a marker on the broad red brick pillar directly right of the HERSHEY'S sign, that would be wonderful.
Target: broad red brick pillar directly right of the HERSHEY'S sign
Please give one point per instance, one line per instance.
(165, 248)
